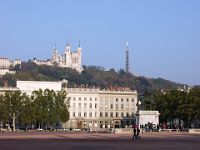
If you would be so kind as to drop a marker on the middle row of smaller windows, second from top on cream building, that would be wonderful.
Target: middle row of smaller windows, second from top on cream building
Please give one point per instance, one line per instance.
(111, 106)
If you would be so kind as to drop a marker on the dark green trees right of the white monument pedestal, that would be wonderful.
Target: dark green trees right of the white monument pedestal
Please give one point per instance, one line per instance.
(174, 105)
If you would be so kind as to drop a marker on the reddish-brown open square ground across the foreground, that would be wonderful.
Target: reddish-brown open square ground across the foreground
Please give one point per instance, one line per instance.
(96, 141)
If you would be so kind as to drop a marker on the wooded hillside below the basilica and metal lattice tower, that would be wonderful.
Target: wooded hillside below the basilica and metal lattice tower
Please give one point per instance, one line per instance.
(91, 76)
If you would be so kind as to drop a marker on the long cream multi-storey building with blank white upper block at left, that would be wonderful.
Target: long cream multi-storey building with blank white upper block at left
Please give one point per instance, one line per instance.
(92, 109)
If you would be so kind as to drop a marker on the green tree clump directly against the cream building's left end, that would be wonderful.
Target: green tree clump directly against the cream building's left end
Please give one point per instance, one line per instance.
(50, 107)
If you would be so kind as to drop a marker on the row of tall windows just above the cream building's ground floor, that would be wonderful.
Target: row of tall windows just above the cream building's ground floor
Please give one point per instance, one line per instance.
(103, 114)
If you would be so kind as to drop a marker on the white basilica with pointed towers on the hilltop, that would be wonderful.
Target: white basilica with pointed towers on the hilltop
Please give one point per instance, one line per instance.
(67, 60)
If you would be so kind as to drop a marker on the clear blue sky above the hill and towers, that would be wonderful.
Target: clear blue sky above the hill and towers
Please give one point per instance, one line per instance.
(163, 35)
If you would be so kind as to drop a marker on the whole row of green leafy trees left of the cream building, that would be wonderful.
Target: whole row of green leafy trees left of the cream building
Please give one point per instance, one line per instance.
(44, 108)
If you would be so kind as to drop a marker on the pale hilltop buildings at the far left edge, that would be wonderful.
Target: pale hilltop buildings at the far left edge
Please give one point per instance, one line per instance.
(5, 65)
